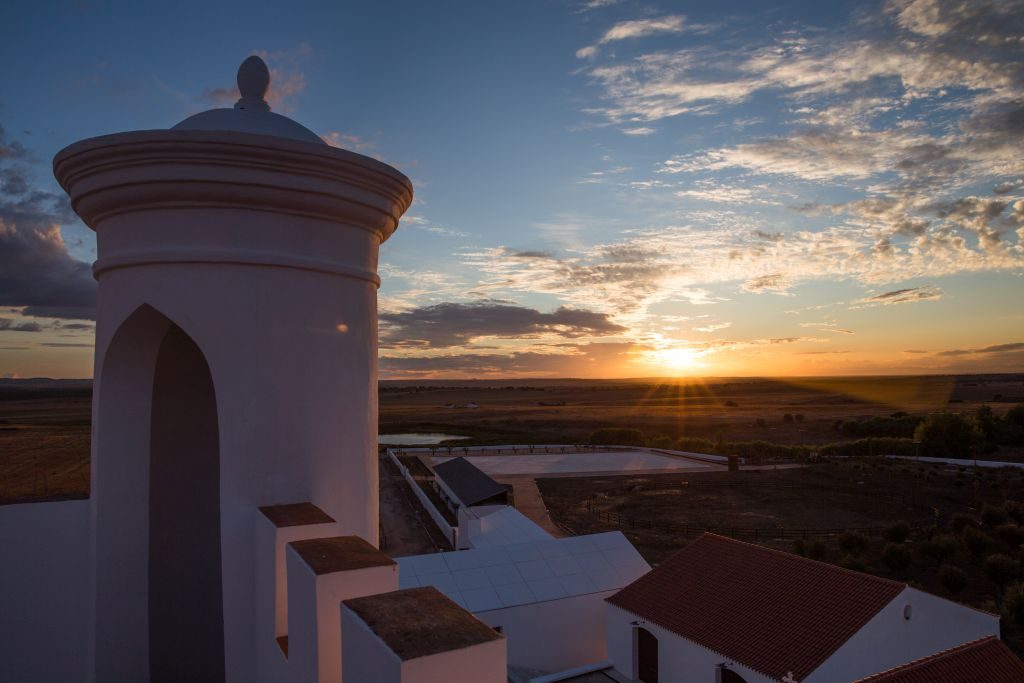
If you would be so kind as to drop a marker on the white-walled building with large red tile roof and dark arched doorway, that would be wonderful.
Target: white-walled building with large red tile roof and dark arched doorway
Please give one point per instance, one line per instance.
(748, 614)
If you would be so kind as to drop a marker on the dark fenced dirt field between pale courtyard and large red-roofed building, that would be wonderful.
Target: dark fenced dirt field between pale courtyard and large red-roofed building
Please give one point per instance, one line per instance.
(834, 495)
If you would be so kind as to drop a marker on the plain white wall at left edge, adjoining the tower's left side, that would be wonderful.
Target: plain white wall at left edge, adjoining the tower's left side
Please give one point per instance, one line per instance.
(46, 592)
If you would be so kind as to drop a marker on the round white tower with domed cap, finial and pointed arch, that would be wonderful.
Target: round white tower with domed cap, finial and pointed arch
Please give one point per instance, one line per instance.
(236, 368)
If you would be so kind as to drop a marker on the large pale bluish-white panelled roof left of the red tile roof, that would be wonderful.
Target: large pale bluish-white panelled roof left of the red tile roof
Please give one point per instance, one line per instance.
(486, 579)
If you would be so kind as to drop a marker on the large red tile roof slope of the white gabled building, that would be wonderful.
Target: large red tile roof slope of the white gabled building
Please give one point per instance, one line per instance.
(770, 611)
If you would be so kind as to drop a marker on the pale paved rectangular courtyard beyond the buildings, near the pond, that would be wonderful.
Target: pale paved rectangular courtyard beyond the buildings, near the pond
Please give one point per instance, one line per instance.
(582, 463)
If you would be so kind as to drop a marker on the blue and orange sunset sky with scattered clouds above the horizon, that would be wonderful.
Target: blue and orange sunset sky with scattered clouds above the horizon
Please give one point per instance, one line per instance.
(604, 188)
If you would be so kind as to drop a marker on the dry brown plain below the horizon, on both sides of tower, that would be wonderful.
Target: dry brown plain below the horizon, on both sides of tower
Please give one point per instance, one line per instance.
(45, 426)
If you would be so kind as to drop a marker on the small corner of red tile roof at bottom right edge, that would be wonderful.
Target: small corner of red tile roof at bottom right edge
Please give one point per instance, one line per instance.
(986, 661)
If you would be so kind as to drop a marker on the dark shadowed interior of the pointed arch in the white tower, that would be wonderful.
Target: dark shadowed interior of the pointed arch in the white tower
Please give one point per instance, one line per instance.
(186, 608)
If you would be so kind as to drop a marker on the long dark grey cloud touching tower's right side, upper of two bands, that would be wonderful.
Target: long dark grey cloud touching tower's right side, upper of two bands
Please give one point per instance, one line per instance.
(449, 325)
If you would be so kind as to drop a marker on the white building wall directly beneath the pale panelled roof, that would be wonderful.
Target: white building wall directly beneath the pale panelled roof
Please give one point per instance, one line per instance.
(554, 635)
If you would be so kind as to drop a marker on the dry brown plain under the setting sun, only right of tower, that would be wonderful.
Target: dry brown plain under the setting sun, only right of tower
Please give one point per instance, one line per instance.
(566, 411)
